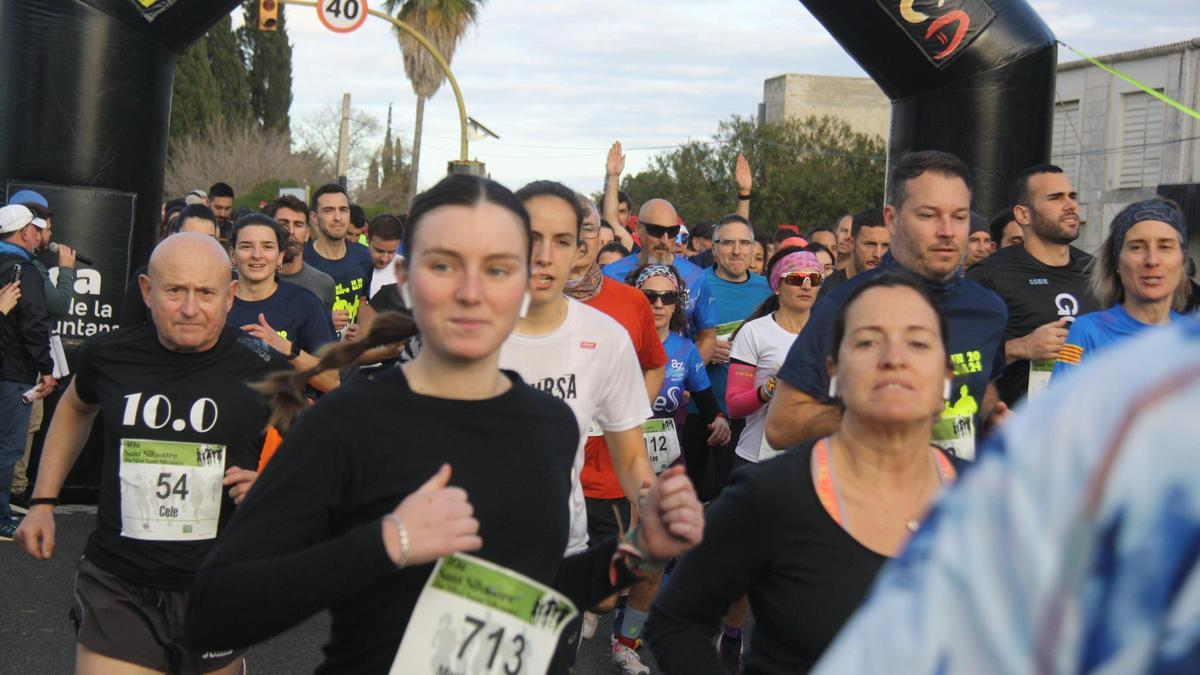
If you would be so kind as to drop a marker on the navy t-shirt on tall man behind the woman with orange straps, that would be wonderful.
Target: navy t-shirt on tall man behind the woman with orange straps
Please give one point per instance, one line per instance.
(976, 319)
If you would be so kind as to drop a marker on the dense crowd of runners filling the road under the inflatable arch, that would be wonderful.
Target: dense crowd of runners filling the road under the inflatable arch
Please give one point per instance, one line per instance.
(472, 431)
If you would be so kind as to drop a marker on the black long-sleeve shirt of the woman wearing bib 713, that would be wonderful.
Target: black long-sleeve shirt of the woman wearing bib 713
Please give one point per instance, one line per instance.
(309, 536)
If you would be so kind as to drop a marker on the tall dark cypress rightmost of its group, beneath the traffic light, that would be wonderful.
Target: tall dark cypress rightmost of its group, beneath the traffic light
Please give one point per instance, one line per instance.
(269, 57)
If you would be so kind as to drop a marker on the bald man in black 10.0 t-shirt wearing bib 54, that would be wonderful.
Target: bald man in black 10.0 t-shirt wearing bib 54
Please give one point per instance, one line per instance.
(181, 425)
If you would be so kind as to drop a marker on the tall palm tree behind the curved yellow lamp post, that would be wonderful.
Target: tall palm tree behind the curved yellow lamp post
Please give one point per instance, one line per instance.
(443, 23)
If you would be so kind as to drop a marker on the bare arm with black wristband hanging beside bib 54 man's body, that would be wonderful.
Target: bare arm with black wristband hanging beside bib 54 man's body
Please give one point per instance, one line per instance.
(64, 443)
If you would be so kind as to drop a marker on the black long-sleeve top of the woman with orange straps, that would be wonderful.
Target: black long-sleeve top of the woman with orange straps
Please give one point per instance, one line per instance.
(769, 537)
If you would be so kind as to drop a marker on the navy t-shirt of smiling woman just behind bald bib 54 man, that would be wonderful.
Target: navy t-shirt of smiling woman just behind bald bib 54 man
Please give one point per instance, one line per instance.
(295, 313)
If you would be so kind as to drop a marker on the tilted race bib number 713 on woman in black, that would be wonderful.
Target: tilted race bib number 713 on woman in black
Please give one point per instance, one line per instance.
(476, 617)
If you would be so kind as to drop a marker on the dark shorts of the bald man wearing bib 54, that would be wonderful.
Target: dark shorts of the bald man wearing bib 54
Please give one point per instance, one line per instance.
(137, 624)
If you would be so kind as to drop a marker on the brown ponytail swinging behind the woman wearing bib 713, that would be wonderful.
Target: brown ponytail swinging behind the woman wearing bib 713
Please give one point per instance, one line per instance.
(286, 391)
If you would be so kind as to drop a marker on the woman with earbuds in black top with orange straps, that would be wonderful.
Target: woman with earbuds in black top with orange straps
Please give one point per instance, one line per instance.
(806, 534)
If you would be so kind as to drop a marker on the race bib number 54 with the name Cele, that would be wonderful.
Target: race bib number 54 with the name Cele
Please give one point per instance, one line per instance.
(171, 492)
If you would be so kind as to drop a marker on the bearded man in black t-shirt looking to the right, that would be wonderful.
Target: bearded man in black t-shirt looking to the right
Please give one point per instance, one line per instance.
(1043, 282)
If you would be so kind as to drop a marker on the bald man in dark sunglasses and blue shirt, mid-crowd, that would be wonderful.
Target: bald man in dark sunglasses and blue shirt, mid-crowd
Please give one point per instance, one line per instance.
(658, 225)
